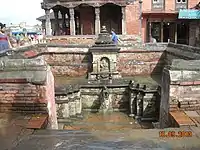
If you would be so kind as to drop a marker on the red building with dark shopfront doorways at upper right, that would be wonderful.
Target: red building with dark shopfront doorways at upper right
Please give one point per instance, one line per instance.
(161, 21)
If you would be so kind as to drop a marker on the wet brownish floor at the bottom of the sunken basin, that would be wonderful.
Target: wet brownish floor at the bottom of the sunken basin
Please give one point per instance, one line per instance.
(110, 121)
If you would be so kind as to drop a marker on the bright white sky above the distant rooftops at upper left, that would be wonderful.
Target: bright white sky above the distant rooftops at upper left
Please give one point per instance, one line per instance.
(16, 11)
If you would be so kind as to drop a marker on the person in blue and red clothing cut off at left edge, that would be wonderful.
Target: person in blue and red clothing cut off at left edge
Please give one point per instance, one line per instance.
(4, 40)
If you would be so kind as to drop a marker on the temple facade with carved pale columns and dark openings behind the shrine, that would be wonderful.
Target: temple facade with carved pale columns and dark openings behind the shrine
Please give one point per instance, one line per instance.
(86, 17)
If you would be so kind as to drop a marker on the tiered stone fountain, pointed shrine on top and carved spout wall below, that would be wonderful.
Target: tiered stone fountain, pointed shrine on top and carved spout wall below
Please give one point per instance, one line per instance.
(105, 90)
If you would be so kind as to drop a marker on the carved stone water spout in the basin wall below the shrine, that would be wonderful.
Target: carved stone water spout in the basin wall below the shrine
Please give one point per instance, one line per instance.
(105, 100)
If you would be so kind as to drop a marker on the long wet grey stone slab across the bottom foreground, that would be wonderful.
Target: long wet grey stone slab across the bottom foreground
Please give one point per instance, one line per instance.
(82, 140)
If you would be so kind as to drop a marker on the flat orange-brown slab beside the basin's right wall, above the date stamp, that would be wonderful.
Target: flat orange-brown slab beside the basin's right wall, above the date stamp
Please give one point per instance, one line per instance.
(182, 119)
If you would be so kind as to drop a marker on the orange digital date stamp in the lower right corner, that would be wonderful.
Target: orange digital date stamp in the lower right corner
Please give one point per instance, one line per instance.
(178, 134)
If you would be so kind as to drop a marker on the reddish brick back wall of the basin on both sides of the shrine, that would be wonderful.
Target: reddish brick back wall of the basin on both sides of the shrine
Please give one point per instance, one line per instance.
(129, 62)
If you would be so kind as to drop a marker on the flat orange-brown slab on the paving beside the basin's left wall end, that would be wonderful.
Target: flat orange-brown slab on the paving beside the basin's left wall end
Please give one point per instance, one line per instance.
(37, 122)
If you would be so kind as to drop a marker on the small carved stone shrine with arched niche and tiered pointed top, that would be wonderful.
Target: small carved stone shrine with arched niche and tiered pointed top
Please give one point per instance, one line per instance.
(104, 57)
